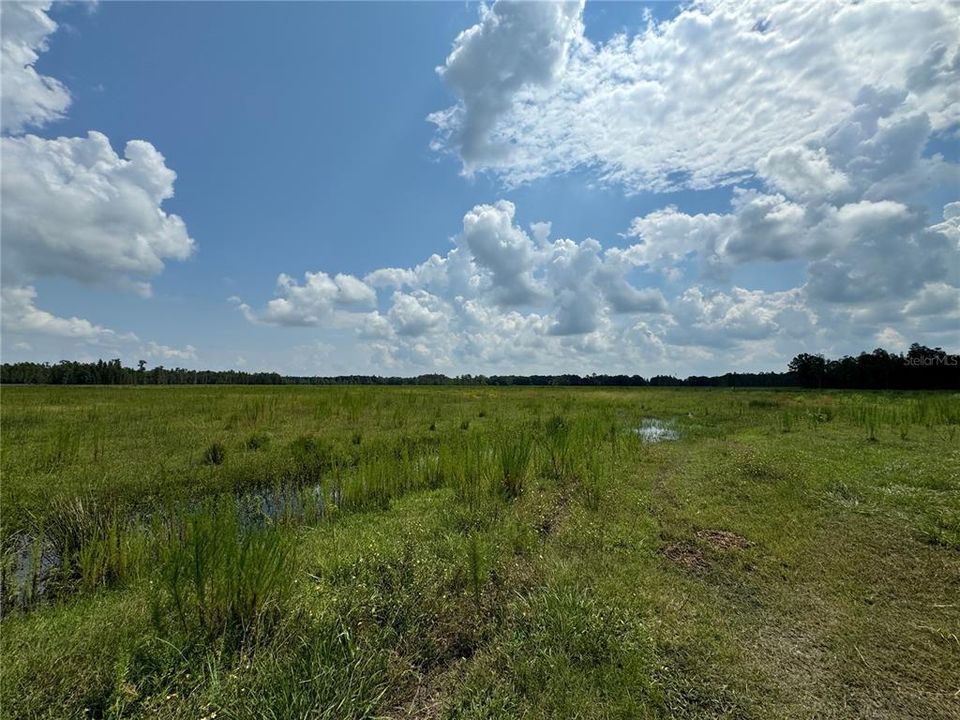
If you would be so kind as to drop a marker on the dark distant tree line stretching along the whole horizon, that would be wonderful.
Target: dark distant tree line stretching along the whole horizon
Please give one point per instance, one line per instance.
(920, 368)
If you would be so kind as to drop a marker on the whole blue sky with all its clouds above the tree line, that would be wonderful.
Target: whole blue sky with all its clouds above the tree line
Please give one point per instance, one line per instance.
(402, 188)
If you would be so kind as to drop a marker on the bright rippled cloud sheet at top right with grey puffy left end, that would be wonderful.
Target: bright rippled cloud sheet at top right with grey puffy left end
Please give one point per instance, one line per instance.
(695, 101)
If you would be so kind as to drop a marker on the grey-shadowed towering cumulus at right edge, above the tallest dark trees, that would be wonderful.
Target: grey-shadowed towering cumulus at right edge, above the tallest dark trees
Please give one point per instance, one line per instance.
(851, 203)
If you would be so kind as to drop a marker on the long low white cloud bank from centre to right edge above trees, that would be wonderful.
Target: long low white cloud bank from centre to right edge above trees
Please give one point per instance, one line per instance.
(870, 265)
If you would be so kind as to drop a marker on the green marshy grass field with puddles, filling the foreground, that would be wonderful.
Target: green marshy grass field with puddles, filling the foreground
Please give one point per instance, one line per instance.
(472, 553)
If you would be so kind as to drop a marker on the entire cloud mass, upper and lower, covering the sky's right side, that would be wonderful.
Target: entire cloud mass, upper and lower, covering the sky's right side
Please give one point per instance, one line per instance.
(819, 120)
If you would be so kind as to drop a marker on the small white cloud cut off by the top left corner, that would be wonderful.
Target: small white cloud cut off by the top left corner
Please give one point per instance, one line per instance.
(28, 98)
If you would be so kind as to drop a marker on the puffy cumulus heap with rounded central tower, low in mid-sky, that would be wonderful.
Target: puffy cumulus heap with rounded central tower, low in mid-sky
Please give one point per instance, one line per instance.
(570, 287)
